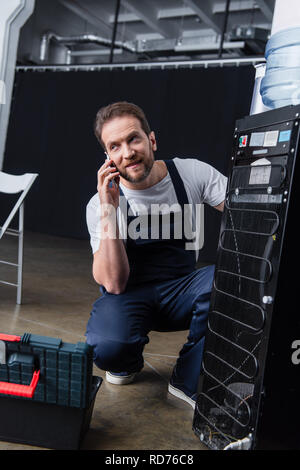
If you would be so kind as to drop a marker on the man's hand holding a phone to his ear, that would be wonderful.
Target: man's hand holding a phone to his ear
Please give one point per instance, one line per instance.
(108, 189)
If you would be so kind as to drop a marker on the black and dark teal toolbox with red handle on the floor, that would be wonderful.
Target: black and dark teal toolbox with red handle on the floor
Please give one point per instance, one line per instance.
(47, 391)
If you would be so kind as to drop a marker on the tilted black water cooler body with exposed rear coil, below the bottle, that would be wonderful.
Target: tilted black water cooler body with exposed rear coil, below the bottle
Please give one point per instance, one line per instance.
(249, 384)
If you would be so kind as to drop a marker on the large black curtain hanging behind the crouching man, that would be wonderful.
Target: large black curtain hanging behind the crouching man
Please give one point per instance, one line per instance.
(192, 112)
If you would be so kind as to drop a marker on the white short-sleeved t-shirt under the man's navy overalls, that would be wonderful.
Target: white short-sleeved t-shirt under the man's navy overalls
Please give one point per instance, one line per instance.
(202, 182)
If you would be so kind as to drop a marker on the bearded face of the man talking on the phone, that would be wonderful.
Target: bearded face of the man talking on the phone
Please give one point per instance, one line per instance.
(130, 148)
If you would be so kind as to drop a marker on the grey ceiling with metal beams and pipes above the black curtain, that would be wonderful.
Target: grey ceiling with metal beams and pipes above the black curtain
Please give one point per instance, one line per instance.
(77, 32)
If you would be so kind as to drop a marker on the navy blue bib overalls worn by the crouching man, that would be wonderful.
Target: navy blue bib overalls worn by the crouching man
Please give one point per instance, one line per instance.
(164, 293)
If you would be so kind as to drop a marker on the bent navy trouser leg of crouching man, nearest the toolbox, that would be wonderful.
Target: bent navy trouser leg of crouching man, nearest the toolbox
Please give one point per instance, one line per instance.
(117, 329)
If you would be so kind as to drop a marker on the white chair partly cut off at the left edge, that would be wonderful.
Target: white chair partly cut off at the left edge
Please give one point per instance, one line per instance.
(14, 184)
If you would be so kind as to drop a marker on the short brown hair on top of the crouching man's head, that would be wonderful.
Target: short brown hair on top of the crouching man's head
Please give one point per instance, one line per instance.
(120, 108)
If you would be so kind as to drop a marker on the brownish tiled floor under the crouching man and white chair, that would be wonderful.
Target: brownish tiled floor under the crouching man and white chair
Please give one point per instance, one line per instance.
(58, 291)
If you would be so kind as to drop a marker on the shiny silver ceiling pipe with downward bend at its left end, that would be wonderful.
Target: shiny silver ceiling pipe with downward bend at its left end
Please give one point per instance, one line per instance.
(81, 39)
